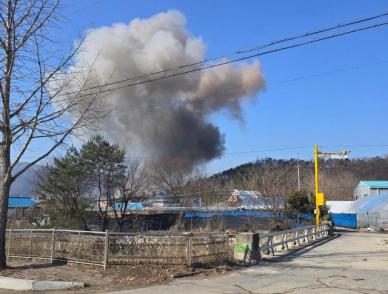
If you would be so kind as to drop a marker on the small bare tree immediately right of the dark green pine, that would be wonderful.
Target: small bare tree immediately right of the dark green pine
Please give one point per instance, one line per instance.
(134, 184)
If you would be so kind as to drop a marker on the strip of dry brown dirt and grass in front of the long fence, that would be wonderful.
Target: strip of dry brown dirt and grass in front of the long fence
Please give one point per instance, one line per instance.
(96, 278)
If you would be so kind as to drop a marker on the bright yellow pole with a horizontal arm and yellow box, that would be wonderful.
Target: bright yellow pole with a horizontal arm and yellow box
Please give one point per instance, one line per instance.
(320, 197)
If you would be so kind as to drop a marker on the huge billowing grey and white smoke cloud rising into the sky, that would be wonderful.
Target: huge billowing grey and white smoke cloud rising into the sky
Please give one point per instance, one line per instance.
(167, 117)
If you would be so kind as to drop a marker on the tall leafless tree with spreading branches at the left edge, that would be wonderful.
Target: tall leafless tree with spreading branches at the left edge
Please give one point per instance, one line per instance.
(35, 99)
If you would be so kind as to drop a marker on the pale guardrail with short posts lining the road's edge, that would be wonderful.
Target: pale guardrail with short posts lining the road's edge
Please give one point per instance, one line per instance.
(269, 242)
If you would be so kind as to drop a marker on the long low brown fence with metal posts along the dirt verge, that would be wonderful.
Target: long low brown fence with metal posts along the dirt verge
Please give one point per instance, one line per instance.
(110, 248)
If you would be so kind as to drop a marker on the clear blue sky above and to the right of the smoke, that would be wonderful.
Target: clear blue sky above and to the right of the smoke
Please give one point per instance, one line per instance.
(332, 93)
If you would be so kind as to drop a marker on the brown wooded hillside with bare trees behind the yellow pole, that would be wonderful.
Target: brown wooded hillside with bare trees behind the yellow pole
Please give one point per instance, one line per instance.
(337, 177)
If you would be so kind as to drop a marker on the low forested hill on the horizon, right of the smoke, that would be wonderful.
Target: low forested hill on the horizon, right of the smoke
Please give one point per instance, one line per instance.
(337, 177)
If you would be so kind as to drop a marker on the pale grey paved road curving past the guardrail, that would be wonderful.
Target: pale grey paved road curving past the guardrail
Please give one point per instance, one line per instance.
(351, 263)
